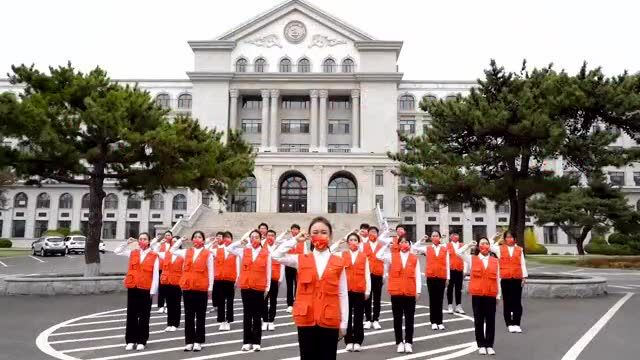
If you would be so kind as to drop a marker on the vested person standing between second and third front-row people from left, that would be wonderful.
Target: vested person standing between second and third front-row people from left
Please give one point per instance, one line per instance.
(227, 268)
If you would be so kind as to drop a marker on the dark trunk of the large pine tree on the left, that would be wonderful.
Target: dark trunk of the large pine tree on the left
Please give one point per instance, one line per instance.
(92, 246)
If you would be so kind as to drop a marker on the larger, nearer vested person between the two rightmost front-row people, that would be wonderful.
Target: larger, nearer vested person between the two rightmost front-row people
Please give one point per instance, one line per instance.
(437, 273)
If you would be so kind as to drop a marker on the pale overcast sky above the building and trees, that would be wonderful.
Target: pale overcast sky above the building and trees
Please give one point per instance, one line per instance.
(443, 40)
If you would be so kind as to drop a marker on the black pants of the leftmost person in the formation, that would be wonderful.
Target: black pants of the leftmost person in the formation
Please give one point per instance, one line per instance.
(138, 312)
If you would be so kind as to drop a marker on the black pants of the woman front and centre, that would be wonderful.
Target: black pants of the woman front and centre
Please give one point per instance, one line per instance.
(317, 343)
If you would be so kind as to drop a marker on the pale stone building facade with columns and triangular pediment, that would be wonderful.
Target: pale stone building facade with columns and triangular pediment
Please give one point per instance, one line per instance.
(320, 101)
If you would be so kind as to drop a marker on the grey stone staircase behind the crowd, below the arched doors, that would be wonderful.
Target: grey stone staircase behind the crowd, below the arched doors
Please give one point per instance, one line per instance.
(210, 221)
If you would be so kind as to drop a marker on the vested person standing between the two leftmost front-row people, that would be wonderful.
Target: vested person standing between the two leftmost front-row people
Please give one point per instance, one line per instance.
(170, 275)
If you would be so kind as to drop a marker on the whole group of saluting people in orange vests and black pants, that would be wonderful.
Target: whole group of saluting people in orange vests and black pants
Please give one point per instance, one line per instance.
(334, 285)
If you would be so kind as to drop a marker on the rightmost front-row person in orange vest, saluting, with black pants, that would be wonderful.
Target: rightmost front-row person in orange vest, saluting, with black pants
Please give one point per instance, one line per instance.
(484, 287)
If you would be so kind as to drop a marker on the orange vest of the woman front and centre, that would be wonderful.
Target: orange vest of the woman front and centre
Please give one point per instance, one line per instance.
(317, 299)
